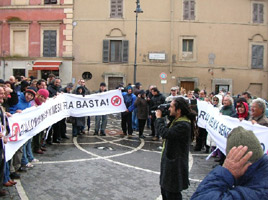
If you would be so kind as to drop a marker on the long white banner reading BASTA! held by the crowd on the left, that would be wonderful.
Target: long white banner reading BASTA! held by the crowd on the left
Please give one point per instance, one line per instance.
(33, 120)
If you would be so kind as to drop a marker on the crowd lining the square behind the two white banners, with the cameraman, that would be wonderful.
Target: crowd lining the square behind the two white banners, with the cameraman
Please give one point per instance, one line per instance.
(142, 108)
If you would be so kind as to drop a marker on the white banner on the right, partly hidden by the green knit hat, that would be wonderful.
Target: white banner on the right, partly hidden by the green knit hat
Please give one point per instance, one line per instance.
(219, 126)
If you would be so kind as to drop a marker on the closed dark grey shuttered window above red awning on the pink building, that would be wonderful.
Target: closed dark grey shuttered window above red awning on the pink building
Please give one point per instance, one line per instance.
(49, 43)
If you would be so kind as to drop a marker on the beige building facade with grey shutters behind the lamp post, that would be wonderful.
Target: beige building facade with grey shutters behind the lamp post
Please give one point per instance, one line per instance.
(210, 45)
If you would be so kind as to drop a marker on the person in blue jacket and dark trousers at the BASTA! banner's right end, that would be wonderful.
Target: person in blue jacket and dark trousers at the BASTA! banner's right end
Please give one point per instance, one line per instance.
(126, 117)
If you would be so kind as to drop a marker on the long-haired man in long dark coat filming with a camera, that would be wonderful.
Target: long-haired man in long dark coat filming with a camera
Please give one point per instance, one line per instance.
(174, 175)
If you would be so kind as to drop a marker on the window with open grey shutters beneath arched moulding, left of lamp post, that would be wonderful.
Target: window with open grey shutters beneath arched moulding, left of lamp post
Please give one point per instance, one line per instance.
(115, 51)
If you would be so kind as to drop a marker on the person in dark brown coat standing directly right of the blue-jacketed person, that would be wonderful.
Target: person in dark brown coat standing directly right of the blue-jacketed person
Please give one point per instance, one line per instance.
(142, 112)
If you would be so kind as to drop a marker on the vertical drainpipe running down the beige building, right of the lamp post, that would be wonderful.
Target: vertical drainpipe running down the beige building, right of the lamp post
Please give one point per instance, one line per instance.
(171, 35)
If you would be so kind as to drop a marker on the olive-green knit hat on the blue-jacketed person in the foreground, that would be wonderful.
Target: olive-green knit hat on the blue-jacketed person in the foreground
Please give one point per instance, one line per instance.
(240, 136)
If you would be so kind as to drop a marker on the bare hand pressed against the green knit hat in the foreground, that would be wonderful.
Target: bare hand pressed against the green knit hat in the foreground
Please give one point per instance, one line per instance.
(237, 162)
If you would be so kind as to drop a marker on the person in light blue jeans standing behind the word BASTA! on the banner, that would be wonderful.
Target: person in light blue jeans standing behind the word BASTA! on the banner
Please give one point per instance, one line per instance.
(101, 121)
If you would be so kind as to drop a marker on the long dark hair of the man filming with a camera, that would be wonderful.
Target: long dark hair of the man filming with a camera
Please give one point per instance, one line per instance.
(183, 105)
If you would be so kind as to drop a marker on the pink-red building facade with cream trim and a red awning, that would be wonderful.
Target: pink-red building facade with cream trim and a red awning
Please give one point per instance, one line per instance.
(36, 38)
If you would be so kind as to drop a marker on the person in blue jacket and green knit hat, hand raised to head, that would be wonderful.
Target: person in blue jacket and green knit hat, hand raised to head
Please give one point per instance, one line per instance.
(244, 174)
